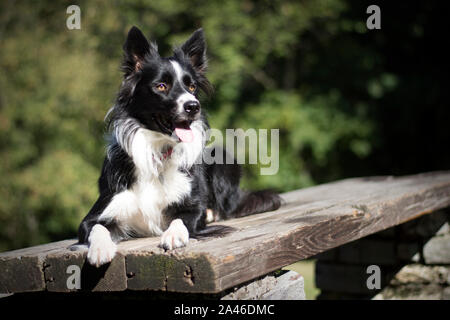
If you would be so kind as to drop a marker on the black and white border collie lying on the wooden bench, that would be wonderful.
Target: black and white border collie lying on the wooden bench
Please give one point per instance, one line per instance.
(151, 182)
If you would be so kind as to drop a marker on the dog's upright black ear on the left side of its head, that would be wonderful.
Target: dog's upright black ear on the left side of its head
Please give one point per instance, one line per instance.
(136, 48)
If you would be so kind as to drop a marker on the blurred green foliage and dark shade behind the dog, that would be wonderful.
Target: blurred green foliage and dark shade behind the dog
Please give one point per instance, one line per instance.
(348, 101)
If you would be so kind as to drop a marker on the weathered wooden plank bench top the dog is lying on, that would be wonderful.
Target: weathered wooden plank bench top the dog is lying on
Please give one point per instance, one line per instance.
(311, 221)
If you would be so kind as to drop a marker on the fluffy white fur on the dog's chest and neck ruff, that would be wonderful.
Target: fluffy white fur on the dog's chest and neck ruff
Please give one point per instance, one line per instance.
(159, 182)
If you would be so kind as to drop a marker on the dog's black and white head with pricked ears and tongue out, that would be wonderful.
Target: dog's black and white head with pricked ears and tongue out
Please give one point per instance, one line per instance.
(162, 93)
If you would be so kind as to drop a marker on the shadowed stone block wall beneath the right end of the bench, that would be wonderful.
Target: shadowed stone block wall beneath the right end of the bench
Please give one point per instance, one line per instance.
(413, 261)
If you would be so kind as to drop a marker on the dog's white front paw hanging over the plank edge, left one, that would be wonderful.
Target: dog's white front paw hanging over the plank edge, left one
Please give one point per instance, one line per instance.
(101, 247)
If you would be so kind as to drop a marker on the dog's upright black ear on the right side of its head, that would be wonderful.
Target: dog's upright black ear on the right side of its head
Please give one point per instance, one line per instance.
(195, 49)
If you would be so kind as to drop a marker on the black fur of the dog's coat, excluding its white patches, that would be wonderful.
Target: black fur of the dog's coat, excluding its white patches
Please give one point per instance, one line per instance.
(140, 105)
